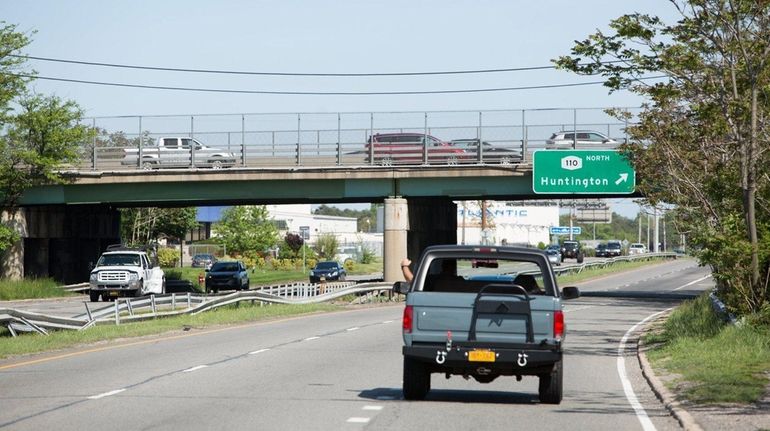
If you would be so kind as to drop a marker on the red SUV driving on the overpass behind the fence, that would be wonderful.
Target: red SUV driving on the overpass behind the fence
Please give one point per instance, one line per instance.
(410, 148)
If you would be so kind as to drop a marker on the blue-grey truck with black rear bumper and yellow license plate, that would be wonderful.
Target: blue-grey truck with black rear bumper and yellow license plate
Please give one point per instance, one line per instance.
(483, 312)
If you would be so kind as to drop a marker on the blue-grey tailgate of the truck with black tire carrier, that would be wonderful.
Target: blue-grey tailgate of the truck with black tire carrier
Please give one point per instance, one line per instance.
(436, 313)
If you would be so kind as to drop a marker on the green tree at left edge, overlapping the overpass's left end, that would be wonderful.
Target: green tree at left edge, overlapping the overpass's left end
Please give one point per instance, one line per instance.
(38, 134)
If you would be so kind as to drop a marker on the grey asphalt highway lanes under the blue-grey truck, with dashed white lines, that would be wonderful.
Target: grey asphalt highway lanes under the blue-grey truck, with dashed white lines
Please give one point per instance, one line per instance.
(342, 371)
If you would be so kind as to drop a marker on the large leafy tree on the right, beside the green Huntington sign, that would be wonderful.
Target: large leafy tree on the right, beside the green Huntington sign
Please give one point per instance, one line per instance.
(702, 137)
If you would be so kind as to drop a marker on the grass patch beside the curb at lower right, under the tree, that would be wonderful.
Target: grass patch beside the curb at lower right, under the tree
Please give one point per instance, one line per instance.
(714, 362)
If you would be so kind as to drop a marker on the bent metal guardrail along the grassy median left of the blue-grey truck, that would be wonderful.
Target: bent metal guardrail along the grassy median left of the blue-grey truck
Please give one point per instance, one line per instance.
(174, 304)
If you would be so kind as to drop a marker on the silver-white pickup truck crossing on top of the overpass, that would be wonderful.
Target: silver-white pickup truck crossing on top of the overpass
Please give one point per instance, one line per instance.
(175, 152)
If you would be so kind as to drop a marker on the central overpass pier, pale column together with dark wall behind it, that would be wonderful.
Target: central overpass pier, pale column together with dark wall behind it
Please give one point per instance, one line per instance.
(412, 225)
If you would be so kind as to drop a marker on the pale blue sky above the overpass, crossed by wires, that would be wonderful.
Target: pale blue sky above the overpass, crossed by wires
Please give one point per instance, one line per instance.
(336, 36)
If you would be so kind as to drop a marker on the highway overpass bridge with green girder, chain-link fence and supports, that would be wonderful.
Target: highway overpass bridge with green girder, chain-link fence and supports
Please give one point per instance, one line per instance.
(66, 226)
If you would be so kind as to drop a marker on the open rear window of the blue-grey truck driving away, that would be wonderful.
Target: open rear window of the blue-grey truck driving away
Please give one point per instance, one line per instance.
(460, 275)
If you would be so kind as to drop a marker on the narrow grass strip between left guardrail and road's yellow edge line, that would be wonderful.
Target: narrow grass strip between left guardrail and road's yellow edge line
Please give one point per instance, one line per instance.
(33, 343)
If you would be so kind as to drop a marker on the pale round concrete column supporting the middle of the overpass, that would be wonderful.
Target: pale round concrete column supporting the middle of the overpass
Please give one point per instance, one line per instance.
(396, 224)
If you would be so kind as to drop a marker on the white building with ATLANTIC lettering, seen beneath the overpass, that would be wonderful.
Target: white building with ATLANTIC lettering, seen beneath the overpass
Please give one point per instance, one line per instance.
(507, 223)
